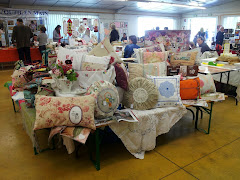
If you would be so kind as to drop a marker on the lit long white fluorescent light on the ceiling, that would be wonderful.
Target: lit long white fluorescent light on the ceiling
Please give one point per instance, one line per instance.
(148, 5)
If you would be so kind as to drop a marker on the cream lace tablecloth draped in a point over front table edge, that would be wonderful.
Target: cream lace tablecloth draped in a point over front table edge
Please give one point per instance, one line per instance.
(140, 137)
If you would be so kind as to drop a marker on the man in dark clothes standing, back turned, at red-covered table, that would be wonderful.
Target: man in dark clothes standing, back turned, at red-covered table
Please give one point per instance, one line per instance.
(21, 38)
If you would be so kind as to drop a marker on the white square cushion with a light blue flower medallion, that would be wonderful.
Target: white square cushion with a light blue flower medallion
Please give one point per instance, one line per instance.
(169, 90)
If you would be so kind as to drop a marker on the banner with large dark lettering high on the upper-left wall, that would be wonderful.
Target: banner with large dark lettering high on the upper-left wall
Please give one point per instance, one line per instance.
(5, 12)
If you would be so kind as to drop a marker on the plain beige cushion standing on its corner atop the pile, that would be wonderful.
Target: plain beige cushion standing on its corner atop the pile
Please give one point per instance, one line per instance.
(104, 48)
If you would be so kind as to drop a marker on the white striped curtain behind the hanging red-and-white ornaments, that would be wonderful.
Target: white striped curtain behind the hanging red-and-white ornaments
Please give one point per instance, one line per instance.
(57, 19)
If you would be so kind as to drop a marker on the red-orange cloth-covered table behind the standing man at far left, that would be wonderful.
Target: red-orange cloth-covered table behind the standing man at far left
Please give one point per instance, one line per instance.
(11, 54)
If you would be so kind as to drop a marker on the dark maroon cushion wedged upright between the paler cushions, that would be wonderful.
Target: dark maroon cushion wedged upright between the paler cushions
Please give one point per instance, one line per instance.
(121, 77)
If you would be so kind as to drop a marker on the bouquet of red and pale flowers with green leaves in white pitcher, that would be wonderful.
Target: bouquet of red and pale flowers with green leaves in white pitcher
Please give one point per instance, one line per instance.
(60, 71)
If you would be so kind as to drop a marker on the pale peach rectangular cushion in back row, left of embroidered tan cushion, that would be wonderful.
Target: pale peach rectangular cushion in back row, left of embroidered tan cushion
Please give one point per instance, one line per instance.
(153, 57)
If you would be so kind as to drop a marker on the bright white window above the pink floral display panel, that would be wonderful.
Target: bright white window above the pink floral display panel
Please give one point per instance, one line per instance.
(149, 23)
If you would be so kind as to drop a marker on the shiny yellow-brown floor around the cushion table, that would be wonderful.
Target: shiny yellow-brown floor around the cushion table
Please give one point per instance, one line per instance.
(183, 153)
